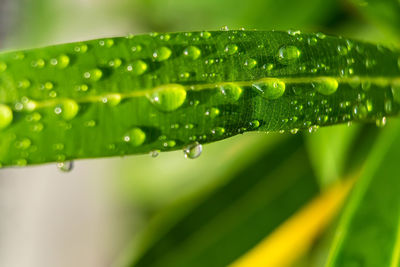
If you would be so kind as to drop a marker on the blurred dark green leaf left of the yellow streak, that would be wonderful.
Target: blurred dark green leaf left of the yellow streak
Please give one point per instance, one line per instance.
(229, 221)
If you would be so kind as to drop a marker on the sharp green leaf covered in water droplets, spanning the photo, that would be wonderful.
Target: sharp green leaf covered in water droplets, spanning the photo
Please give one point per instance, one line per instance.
(167, 91)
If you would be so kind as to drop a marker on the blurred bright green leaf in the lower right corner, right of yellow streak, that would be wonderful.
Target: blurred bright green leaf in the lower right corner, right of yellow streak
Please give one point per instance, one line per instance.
(368, 231)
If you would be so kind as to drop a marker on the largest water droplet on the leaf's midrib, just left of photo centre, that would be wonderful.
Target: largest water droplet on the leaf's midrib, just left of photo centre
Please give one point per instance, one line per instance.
(168, 97)
